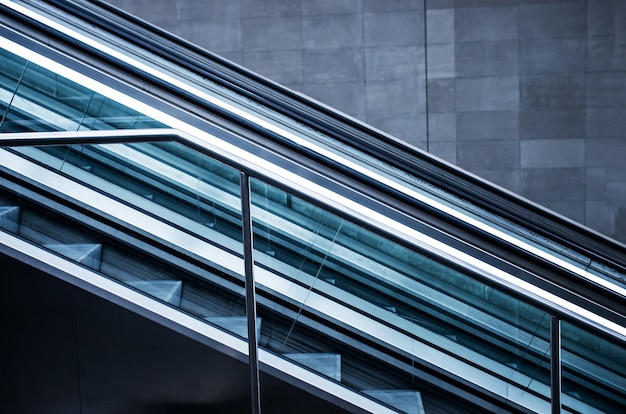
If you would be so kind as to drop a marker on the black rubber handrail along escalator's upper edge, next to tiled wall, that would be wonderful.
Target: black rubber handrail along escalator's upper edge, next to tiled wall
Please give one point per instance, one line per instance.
(351, 132)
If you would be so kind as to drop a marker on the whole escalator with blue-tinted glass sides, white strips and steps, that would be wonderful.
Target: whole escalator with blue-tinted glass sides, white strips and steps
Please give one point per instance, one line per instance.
(374, 287)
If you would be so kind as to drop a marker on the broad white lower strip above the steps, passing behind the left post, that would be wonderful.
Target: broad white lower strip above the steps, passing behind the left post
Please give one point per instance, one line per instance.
(331, 309)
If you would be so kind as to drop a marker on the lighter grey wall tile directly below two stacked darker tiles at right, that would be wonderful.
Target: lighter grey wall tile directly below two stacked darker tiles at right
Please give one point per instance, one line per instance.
(553, 153)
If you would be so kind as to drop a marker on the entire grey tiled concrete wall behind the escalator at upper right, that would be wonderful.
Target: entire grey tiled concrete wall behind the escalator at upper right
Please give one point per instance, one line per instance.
(529, 94)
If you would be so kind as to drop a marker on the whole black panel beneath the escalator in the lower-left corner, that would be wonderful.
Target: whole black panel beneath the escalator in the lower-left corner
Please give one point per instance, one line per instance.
(65, 350)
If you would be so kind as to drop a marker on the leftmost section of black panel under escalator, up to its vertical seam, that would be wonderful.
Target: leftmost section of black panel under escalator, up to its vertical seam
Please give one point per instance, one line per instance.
(38, 350)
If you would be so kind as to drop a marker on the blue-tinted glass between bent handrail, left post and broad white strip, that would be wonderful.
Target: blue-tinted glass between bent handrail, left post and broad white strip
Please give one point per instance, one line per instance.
(175, 183)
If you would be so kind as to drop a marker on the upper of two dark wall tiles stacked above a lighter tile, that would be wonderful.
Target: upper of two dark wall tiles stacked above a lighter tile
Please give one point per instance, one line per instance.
(552, 91)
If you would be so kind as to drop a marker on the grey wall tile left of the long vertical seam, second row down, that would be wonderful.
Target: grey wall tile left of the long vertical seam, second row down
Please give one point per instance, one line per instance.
(393, 28)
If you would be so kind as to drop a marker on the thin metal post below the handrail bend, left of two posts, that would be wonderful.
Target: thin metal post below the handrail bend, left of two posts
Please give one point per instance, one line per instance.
(253, 346)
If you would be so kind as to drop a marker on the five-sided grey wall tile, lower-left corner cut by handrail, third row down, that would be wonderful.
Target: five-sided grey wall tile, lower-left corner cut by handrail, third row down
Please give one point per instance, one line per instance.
(282, 66)
